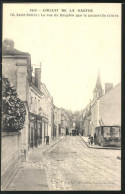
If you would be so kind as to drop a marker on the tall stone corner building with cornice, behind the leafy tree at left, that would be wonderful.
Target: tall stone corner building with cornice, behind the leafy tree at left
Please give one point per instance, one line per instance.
(17, 68)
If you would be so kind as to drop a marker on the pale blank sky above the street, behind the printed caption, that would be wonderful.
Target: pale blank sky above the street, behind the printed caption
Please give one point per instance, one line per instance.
(71, 49)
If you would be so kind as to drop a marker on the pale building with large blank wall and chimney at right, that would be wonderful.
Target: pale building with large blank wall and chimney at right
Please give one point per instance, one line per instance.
(106, 108)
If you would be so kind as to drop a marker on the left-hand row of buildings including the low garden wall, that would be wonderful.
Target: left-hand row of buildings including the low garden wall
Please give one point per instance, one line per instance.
(42, 118)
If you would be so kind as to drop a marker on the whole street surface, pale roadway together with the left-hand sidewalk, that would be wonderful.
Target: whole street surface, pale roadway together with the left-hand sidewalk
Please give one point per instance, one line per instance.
(69, 165)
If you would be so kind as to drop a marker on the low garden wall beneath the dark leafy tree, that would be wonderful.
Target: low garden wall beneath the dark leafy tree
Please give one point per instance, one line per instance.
(10, 156)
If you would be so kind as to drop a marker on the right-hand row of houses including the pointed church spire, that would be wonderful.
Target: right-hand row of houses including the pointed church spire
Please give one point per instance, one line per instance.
(103, 110)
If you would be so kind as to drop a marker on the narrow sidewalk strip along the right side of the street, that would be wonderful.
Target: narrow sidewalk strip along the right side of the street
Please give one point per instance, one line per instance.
(85, 139)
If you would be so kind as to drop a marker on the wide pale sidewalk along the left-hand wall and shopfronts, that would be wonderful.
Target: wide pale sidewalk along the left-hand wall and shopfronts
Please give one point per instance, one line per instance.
(32, 175)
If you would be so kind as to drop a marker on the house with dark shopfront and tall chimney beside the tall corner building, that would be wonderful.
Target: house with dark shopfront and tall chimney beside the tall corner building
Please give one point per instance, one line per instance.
(36, 134)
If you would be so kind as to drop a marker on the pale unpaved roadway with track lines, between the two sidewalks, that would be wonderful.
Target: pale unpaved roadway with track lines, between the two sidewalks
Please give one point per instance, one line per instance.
(71, 165)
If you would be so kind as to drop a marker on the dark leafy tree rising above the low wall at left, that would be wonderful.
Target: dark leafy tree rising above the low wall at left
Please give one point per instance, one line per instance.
(13, 109)
